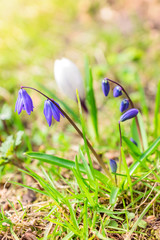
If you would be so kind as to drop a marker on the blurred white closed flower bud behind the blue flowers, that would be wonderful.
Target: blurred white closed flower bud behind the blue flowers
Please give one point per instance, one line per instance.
(68, 78)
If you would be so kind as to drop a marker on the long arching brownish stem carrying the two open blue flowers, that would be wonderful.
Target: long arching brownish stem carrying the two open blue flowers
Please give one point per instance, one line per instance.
(100, 161)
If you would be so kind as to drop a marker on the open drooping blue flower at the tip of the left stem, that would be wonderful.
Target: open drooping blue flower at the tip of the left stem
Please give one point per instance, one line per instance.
(24, 102)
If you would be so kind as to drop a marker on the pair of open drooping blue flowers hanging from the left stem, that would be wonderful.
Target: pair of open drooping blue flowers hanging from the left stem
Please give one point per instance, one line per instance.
(24, 102)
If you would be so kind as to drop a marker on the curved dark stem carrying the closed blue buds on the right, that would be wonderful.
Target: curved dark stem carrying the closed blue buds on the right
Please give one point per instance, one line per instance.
(132, 105)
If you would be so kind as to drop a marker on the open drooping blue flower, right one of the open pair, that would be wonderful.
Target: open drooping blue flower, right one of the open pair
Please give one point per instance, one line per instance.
(50, 110)
